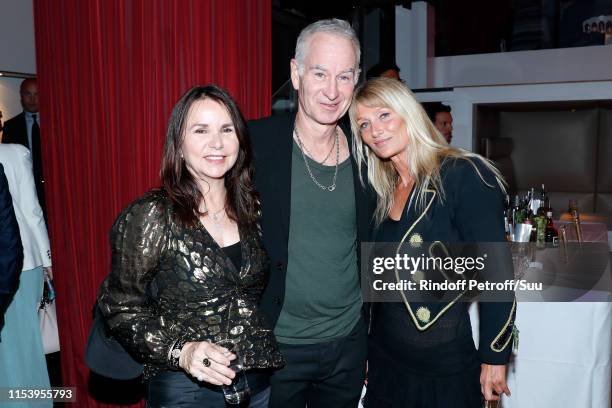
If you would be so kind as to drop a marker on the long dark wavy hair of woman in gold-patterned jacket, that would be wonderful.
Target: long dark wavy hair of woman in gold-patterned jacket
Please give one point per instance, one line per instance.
(242, 204)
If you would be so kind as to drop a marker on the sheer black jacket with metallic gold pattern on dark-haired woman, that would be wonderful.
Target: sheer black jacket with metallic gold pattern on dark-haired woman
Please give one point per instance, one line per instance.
(169, 283)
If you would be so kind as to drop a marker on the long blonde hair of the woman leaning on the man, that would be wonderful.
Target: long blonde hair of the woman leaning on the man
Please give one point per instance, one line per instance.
(426, 151)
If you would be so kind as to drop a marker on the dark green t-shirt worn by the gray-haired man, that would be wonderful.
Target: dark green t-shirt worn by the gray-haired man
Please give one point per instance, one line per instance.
(322, 294)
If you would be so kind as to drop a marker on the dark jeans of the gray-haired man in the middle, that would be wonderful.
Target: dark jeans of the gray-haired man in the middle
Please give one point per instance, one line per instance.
(322, 375)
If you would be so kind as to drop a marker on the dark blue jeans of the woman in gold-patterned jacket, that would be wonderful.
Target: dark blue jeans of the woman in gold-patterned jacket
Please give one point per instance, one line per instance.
(176, 389)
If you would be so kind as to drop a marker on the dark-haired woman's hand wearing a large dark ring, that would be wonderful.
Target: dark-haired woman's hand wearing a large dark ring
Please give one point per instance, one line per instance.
(217, 372)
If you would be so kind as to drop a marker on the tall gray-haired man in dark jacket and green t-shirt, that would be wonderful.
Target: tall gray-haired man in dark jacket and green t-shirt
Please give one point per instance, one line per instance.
(315, 213)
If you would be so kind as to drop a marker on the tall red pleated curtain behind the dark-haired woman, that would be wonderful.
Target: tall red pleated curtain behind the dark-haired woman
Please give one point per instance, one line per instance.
(109, 73)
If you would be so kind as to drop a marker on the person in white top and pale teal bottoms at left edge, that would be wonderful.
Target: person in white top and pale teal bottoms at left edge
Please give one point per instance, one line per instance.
(21, 350)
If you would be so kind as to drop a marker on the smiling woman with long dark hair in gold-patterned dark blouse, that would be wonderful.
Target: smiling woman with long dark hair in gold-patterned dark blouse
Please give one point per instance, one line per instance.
(188, 265)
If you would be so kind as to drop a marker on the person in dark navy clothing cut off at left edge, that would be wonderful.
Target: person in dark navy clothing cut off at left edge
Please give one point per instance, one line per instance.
(11, 250)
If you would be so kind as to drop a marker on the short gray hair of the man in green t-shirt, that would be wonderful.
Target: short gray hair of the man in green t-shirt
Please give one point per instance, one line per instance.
(333, 26)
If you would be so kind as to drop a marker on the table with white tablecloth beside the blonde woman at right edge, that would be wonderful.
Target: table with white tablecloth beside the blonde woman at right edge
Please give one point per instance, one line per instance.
(564, 358)
